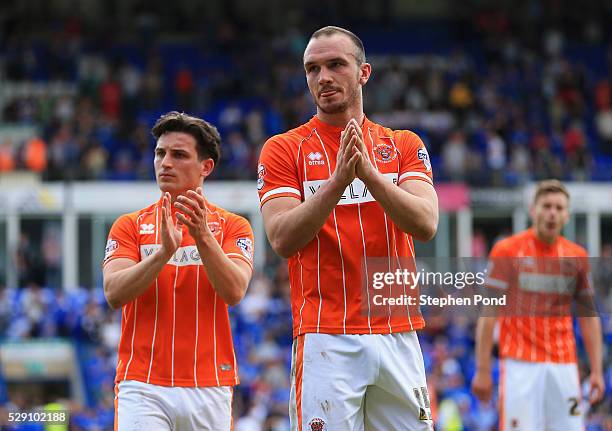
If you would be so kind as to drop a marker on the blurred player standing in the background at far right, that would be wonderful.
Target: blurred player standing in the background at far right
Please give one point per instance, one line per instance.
(539, 382)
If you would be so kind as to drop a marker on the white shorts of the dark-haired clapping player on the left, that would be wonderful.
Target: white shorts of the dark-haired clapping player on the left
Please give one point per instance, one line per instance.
(143, 406)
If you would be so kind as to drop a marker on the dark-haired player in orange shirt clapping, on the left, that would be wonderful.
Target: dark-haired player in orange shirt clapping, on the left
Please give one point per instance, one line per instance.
(174, 267)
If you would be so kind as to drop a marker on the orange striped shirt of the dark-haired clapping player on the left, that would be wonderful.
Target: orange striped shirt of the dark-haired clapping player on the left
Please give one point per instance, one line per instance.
(177, 333)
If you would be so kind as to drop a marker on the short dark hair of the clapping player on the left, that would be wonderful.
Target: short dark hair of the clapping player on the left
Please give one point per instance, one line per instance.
(208, 140)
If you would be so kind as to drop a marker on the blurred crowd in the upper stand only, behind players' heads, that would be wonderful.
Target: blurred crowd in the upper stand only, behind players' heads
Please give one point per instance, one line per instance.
(495, 104)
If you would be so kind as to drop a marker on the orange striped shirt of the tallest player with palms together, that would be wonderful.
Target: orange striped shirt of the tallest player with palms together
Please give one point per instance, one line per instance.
(326, 276)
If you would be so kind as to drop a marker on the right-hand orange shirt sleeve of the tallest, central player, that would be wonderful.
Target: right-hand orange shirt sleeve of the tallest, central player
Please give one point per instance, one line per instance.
(415, 163)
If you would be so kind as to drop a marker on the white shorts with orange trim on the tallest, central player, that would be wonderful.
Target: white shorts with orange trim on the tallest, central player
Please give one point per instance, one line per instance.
(373, 382)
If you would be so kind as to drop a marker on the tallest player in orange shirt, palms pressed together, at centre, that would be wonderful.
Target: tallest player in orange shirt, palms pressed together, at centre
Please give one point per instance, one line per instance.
(333, 192)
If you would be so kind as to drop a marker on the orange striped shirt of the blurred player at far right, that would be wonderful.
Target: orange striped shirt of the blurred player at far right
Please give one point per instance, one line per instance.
(526, 266)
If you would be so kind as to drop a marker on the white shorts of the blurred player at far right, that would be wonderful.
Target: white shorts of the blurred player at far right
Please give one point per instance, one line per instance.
(536, 396)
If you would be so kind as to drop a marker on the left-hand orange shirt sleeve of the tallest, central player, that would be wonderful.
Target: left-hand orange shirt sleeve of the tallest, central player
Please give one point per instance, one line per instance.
(277, 174)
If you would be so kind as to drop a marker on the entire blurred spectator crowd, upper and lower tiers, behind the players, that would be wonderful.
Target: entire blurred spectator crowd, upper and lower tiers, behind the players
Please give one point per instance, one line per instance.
(501, 95)
